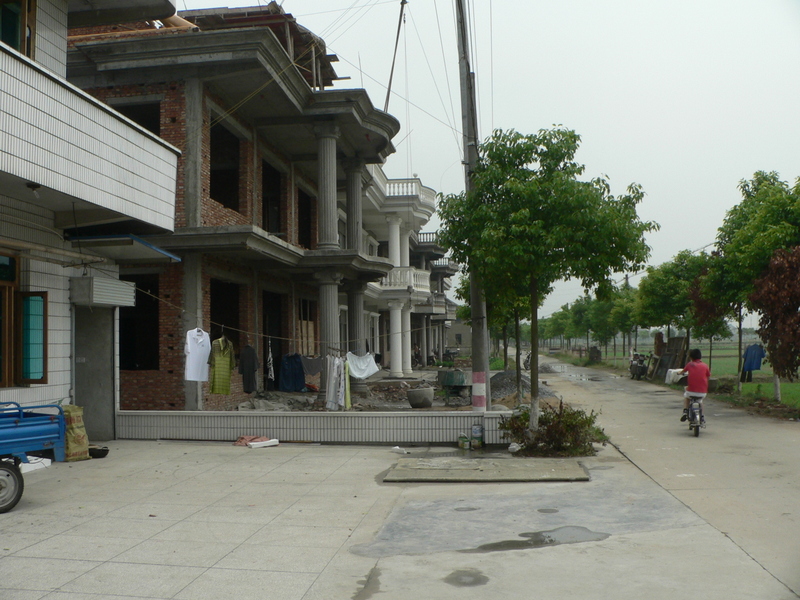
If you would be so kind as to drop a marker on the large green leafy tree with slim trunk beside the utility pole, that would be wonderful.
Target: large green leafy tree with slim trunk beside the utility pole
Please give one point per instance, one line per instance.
(529, 218)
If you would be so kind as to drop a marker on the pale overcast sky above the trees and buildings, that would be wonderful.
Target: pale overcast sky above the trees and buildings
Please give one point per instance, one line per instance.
(685, 97)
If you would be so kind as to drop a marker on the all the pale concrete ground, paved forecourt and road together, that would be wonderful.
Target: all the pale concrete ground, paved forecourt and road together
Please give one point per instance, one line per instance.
(206, 521)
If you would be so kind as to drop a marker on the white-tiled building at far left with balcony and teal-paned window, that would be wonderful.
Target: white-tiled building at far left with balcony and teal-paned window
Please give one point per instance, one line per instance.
(67, 163)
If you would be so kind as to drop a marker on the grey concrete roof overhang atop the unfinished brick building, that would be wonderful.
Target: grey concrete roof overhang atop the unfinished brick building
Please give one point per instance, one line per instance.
(250, 70)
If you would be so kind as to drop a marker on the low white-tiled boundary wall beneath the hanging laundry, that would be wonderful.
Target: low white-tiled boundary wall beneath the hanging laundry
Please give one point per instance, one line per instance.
(346, 428)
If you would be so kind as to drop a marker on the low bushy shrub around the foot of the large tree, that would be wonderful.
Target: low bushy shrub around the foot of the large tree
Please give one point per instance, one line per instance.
(563, 432)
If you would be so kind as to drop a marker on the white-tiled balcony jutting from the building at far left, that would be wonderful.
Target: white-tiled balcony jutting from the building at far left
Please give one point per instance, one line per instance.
(65, 151)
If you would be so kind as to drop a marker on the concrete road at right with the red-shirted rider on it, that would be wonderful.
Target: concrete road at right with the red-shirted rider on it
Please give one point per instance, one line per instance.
(741, 476)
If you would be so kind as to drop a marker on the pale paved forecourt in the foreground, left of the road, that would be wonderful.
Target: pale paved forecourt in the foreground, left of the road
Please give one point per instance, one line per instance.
(330, 527)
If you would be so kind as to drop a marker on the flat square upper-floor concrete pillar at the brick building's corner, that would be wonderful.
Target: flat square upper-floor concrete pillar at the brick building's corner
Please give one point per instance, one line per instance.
(193, 154)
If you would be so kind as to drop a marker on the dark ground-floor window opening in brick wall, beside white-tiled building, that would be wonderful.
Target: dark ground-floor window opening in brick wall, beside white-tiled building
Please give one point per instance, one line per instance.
(139, 327)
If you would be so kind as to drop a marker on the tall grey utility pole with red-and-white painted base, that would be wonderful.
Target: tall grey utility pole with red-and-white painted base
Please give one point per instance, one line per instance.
(481, 392)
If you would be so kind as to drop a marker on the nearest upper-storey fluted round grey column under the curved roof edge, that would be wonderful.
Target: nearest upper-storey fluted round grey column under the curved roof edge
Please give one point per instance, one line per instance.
(328, 217)
